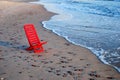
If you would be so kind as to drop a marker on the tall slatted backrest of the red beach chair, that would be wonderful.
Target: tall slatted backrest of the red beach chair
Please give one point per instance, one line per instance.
(31, 34)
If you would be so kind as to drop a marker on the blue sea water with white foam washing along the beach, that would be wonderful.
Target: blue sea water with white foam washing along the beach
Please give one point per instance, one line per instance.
(94, 24)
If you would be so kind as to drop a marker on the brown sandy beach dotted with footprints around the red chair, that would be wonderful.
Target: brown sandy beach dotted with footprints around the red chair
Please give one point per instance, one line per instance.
(61, 60)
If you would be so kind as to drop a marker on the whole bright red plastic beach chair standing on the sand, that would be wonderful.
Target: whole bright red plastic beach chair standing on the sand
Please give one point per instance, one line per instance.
(33, 39)
